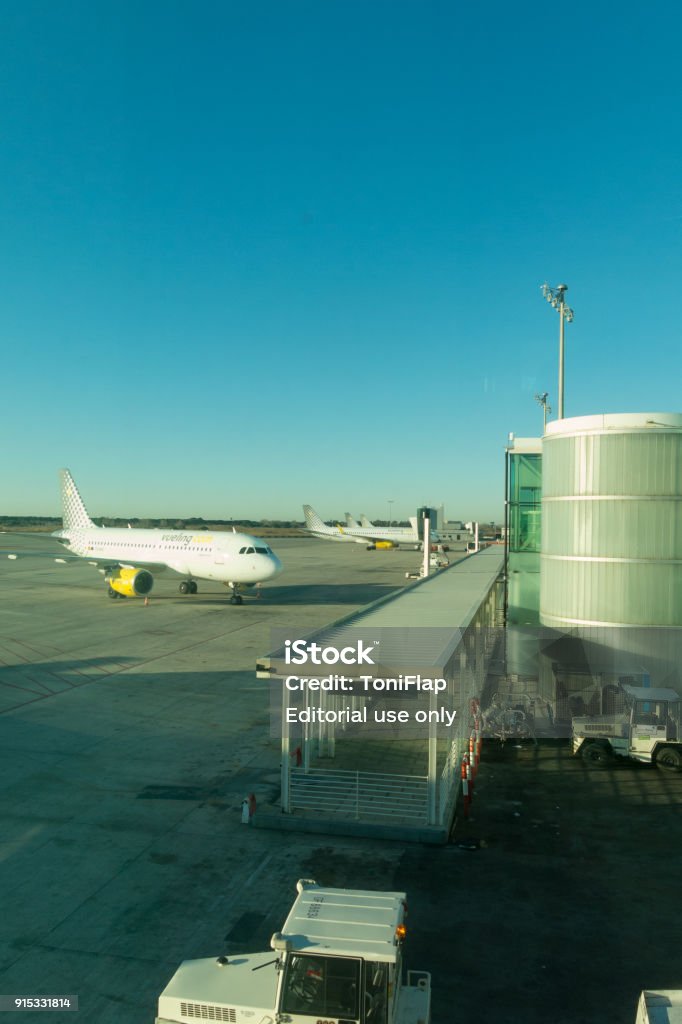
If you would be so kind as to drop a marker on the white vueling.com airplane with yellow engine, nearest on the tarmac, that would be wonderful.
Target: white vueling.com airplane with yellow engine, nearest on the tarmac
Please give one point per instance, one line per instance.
(129, 558)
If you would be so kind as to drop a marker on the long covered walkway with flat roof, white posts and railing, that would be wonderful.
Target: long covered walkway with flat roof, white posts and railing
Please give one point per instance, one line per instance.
(375, 749)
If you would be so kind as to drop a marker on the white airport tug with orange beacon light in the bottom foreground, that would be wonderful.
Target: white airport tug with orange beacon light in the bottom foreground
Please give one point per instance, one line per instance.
(338, 960)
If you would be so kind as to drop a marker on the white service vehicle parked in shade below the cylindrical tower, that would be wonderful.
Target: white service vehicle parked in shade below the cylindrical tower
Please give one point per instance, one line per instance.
(649, 730)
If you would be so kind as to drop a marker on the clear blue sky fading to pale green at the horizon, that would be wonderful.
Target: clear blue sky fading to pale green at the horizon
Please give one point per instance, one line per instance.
(260, 254)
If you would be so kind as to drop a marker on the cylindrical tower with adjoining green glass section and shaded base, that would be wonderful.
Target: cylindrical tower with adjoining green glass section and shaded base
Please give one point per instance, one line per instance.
(594, 561)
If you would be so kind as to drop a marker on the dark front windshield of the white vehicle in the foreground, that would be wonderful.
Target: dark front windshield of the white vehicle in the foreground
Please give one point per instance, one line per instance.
(322, 987)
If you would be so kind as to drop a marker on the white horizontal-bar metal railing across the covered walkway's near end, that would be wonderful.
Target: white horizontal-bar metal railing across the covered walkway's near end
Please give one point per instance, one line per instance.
(360, 795)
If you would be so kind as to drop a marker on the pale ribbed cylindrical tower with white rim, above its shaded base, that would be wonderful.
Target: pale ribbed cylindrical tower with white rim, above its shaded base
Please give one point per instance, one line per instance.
(612, 527)
